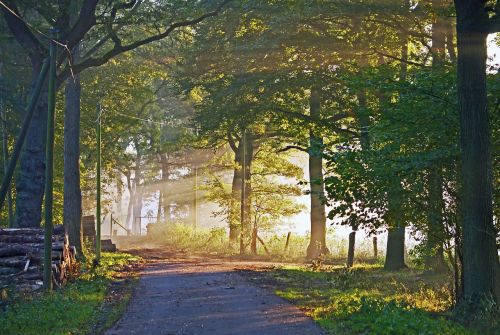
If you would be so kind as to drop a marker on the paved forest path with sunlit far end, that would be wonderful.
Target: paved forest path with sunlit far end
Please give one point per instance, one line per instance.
(201, 296)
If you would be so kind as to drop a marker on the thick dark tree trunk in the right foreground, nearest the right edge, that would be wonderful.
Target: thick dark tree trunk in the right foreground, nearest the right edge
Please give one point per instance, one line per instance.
(480, 258)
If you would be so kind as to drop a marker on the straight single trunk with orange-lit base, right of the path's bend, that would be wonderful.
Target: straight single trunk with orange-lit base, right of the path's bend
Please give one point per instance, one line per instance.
(317, 243)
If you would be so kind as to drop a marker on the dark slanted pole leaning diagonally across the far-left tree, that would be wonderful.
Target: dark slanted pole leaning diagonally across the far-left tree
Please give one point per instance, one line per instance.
(24, 130)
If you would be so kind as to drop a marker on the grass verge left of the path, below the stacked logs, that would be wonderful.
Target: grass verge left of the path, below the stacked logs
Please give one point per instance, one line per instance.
(81, 307)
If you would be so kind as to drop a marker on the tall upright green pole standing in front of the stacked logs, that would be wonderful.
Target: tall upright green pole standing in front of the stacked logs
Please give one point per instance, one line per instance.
(49, 168)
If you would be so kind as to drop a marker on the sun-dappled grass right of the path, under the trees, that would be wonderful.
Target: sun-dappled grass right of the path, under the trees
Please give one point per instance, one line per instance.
(368, 300)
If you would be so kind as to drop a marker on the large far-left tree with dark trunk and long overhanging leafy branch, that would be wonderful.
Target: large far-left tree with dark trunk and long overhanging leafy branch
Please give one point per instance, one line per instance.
(114, 27)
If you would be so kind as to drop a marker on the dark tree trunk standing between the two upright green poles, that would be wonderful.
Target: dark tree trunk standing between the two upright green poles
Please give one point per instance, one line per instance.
(72, 211)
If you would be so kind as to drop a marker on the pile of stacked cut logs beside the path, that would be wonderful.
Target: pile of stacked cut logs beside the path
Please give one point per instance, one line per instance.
(21, 257)
